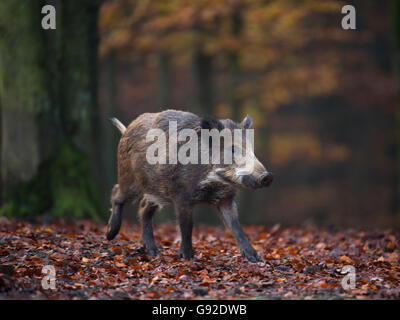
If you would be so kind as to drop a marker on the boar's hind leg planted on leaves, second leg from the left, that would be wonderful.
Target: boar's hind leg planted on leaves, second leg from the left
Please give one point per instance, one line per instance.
(146, 212)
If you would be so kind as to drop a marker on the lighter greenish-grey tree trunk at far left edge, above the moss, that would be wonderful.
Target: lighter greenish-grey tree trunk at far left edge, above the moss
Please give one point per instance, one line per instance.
(23, 93)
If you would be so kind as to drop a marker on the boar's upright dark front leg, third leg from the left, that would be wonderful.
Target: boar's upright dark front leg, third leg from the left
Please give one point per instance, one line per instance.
(185, 218)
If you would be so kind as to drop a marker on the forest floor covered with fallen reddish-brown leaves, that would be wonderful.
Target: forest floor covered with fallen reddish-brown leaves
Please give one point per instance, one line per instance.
(298, 263)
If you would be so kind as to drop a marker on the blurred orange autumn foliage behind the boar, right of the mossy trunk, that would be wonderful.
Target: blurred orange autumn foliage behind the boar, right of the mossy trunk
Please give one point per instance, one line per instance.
(323, 99)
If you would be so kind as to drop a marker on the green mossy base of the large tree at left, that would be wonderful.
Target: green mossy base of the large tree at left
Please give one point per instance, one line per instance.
(63, 186)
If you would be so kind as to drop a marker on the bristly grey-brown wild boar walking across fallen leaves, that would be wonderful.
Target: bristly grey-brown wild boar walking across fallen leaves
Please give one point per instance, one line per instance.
(178, 184)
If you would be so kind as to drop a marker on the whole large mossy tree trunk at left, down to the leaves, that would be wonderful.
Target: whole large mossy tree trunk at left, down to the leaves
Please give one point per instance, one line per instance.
(48, 92)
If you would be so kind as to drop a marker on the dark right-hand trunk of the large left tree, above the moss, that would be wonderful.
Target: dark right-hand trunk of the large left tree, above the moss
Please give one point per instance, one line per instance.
(78, 43)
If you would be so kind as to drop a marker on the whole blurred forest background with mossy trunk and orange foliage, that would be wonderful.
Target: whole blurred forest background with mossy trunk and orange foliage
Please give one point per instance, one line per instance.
(324, 100)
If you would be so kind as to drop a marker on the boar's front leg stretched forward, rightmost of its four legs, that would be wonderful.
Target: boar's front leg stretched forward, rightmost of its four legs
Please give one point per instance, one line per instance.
(228, 210)
